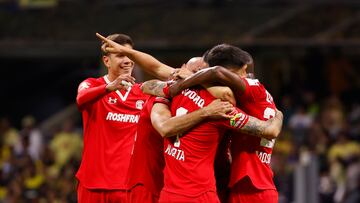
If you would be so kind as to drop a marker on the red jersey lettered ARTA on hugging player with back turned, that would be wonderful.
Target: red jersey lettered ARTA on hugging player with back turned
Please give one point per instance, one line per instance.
(189, 168)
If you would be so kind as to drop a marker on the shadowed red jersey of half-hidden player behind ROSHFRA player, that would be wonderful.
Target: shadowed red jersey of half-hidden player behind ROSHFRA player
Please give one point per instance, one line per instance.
(147, 162)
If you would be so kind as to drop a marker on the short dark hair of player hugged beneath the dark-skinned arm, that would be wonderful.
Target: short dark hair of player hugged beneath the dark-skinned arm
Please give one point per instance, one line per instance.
(227, 55)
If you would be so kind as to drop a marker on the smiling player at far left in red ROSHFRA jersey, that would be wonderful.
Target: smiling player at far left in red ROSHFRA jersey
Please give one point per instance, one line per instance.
(110, 107)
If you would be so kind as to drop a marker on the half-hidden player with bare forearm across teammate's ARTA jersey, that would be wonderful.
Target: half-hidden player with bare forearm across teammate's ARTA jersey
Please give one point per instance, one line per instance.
(147, 163)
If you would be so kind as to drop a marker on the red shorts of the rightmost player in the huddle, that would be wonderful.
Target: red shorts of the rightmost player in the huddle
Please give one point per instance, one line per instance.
(241, 193)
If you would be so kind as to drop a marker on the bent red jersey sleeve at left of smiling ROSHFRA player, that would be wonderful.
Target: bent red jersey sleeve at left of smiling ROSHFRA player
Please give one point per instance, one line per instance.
(88, 92)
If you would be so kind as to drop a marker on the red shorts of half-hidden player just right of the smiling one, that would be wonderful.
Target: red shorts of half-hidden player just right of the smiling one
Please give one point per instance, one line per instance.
(140, 194)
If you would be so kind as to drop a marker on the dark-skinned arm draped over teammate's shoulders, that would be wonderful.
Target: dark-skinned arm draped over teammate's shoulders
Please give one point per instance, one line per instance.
(208, 76)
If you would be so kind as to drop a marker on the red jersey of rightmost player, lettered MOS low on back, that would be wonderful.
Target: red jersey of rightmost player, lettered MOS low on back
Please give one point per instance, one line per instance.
(251, 155)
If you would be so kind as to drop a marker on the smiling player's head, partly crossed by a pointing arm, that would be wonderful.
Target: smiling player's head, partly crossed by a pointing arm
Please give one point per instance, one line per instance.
(118, 64)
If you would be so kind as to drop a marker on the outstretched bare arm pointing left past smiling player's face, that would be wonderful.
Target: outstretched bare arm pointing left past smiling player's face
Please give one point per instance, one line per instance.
(147, 62)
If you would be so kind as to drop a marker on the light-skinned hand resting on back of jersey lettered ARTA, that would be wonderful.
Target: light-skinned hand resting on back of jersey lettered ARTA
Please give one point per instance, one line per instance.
(218, 109)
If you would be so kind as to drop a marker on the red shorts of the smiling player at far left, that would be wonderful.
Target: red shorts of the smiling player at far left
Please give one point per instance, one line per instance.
(86, 195)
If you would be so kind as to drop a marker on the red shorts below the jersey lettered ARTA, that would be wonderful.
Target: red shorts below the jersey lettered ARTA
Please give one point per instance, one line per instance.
(208, 197)
